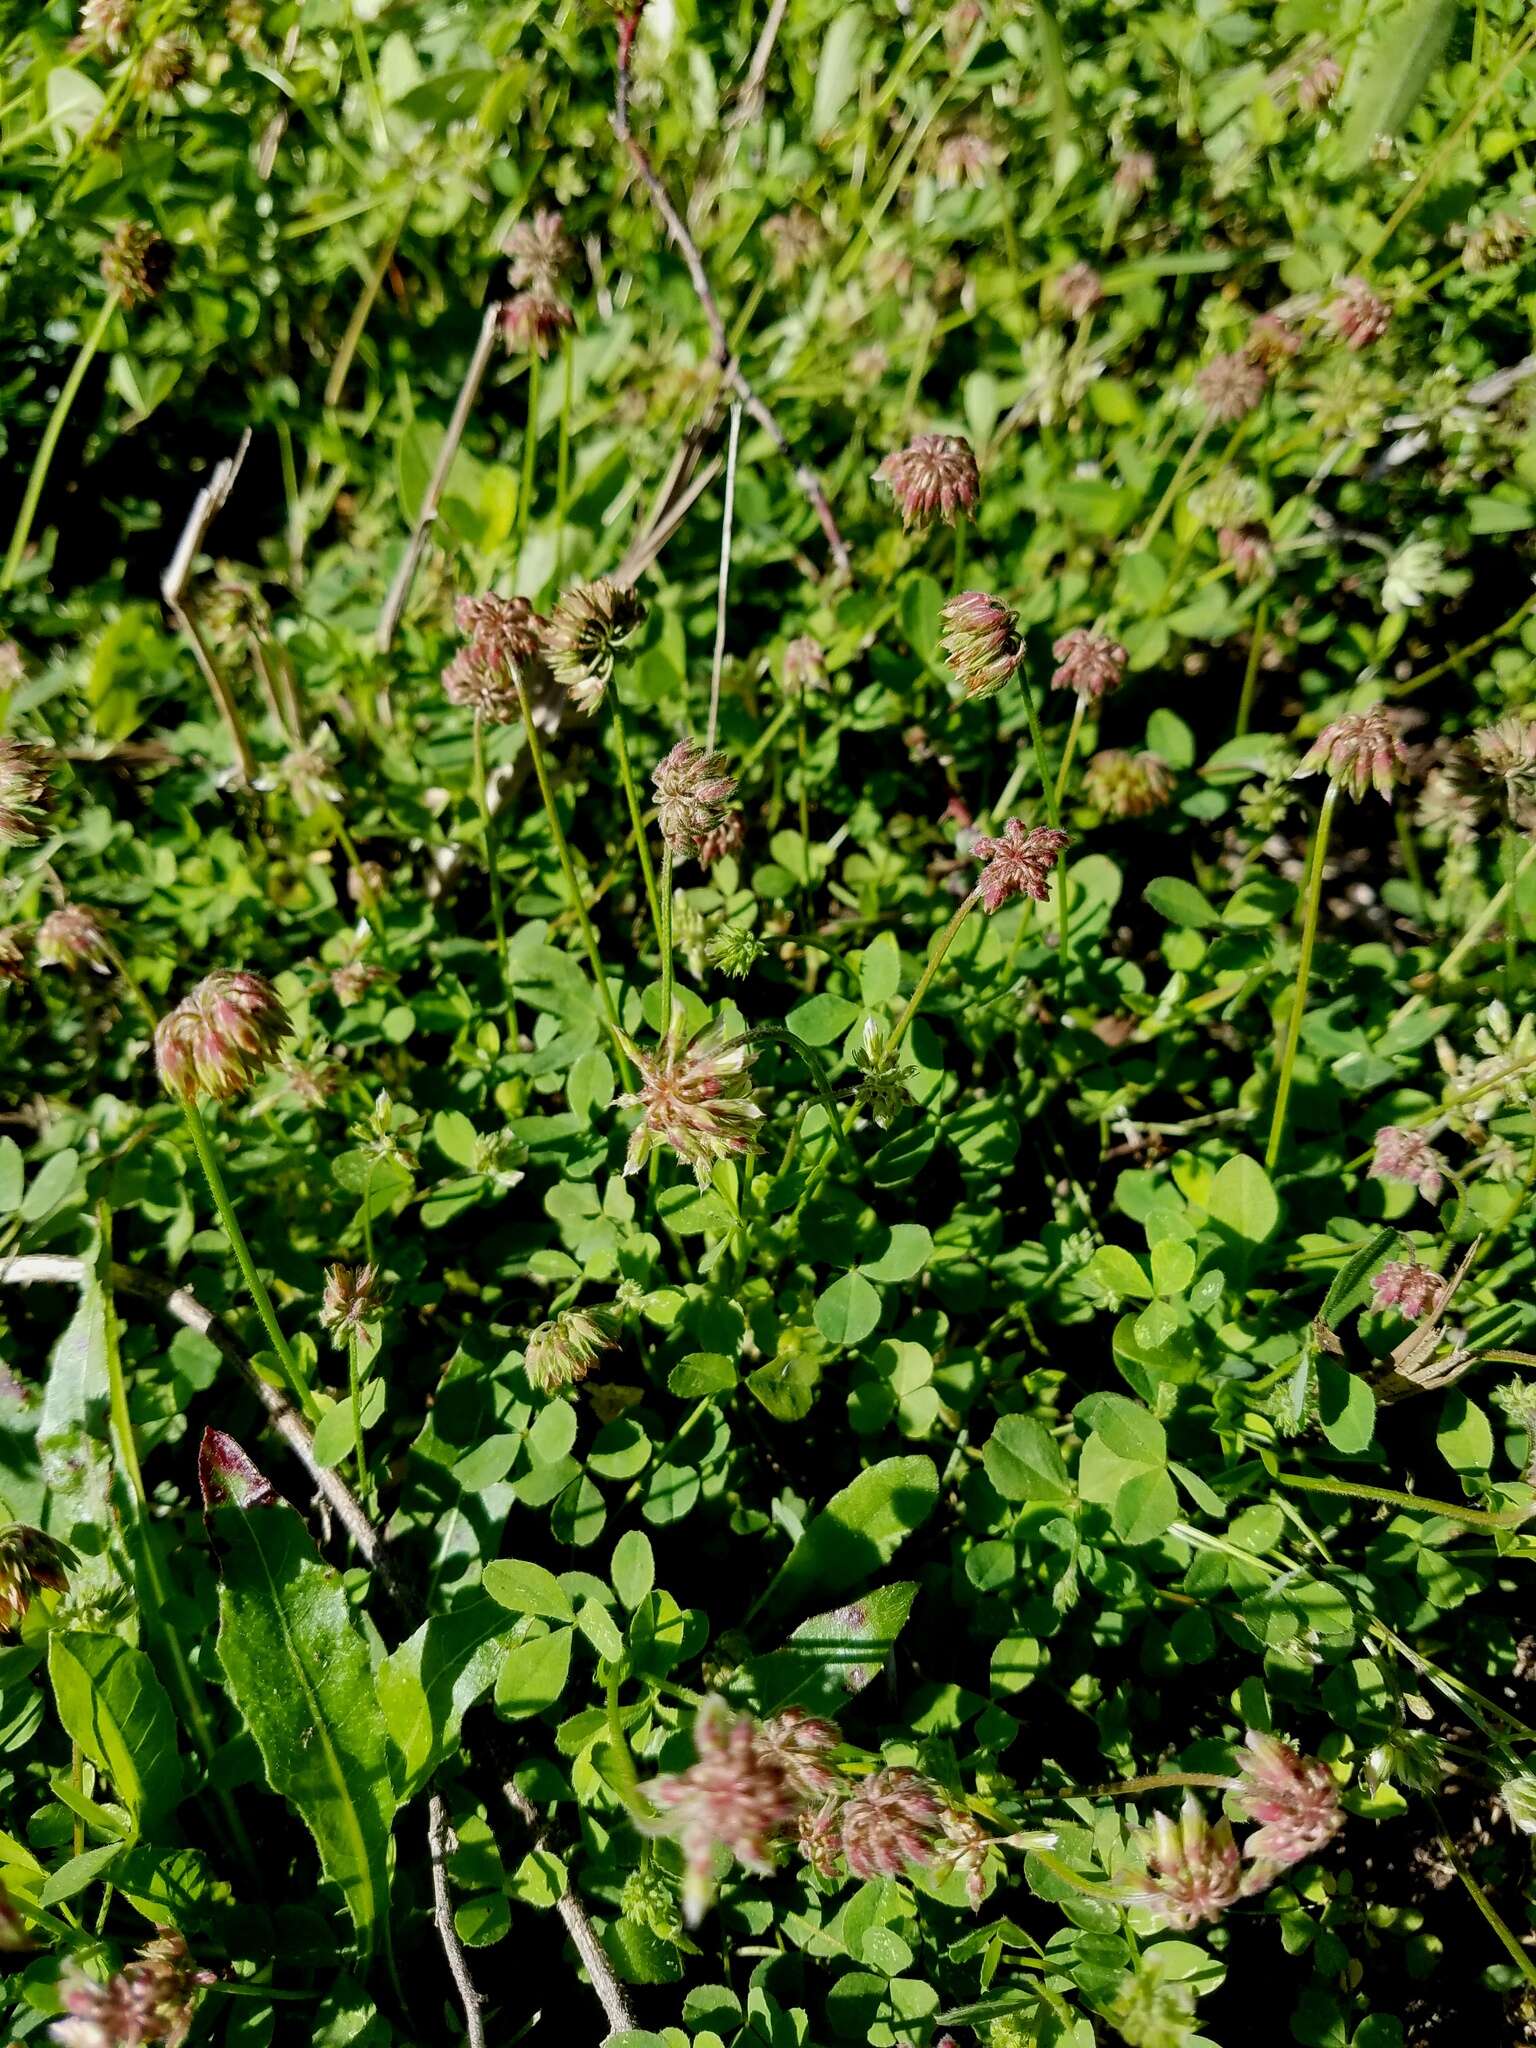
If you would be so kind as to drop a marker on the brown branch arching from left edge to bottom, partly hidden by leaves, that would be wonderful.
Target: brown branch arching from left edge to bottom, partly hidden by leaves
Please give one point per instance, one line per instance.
(290, 1424)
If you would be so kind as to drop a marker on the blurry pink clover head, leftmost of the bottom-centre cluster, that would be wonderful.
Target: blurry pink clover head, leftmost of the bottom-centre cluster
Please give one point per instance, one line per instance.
(732, 1801)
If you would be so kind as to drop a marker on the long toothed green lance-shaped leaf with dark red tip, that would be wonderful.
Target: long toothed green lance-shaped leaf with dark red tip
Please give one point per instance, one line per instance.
(298, 1670)
